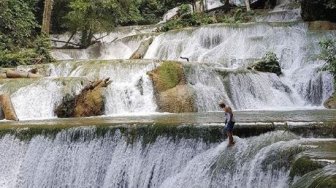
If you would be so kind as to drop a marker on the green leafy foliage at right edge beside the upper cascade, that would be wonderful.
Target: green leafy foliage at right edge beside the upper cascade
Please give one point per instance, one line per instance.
(328, 54)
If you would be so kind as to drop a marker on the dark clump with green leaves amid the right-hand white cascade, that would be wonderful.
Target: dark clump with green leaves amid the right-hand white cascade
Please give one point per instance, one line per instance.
(269, 63)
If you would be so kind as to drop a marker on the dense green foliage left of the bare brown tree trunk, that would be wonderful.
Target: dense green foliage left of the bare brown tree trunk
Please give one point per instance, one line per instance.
(19, 44)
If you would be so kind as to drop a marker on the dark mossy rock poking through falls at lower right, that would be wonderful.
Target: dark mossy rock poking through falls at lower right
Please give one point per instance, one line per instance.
(303, 166)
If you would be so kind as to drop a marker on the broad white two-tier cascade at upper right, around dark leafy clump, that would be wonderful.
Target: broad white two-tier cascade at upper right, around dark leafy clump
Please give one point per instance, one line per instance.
(232, 47)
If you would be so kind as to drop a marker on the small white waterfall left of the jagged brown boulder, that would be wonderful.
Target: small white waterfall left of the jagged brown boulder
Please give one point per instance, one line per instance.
(38, 98)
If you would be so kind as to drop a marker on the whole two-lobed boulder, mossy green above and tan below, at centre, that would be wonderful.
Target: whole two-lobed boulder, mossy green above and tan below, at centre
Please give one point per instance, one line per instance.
(172, 93)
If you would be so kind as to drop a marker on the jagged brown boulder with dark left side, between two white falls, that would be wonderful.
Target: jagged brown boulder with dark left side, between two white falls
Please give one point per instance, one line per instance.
(90, 101)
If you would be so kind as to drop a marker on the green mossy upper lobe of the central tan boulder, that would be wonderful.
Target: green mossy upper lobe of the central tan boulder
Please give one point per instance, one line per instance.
(168, 75)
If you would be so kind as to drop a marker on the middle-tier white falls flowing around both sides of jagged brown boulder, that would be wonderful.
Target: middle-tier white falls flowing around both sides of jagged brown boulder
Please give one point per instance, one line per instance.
(131, 90)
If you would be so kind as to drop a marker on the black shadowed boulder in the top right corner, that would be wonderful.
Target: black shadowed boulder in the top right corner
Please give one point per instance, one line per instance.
(318, 10)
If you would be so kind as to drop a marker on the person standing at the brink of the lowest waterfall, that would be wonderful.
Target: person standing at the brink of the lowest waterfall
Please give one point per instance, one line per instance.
(229, 122)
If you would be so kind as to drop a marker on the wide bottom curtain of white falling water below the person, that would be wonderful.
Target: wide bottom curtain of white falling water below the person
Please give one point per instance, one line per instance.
(110, 161)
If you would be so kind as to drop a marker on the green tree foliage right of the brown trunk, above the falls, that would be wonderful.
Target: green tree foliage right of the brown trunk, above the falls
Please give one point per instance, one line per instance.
(90, 17)
